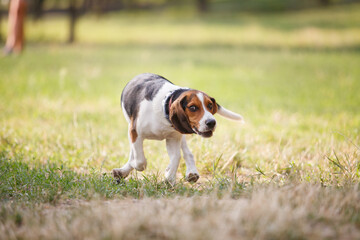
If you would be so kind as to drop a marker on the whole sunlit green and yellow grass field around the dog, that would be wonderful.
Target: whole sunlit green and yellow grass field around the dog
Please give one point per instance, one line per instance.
(291, 172)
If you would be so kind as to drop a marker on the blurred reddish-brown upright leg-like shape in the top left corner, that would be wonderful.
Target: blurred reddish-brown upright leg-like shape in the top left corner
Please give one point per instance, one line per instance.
(15, 38)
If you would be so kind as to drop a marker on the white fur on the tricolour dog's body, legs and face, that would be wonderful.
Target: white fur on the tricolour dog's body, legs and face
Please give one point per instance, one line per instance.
(152, 124)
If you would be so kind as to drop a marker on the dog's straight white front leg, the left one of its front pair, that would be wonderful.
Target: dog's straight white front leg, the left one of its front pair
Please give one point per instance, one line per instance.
(173, 149)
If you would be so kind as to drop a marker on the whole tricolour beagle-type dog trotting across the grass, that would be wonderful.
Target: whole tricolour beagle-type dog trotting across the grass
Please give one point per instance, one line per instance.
(157, 109)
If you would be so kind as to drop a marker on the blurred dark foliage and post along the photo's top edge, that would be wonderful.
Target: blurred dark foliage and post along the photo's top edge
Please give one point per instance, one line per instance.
(76, 9)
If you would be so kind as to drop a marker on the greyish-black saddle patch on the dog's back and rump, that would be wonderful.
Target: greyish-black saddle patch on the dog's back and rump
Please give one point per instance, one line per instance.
(143, 86)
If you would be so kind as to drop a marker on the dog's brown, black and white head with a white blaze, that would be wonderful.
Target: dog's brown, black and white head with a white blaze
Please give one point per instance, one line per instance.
(192, 112)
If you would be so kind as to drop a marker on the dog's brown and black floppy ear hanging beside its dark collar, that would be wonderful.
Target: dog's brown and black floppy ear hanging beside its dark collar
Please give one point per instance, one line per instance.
(178, 117)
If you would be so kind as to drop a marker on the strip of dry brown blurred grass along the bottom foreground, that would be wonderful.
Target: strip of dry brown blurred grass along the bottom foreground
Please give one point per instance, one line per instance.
(291, 212)
